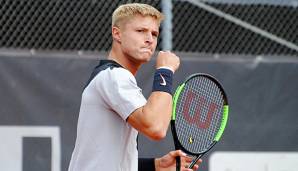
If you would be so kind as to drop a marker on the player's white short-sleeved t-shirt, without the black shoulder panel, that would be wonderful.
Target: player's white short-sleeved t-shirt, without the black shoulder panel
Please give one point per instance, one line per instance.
(105, 141)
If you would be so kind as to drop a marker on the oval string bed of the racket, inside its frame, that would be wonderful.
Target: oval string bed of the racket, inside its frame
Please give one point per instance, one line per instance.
(197, 99)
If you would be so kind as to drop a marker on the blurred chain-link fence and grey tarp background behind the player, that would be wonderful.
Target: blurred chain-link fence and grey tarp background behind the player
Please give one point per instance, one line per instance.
(49, 47)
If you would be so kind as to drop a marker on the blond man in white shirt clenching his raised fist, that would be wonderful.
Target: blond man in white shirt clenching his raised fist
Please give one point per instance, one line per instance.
(113, 108)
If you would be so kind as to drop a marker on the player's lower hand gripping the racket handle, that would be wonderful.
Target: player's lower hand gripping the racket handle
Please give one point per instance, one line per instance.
(168, 162)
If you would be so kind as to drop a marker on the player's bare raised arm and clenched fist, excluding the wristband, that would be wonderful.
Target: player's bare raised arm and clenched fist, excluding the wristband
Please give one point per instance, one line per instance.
(153, 118)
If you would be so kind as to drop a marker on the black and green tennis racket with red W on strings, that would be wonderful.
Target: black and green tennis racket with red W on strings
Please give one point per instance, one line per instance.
(200, 114)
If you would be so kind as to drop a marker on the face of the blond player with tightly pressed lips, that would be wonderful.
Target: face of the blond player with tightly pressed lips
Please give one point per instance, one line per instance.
(138, 37)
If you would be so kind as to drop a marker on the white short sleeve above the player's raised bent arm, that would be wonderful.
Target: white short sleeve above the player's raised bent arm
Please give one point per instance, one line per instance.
(120, 91)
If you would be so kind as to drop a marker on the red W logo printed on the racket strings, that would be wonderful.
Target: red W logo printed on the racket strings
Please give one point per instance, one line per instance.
(196, 118)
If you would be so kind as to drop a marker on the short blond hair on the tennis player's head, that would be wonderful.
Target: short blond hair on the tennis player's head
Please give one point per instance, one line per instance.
(126, 11)
